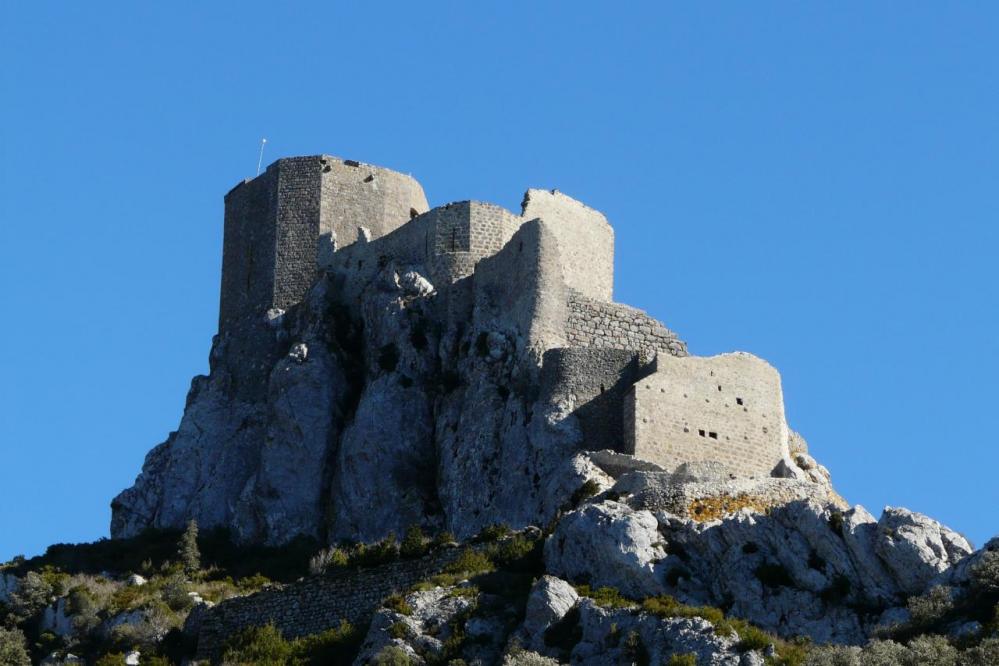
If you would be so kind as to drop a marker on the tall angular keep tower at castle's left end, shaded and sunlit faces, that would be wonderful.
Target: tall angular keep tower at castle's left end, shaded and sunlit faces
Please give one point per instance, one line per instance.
(276, 222)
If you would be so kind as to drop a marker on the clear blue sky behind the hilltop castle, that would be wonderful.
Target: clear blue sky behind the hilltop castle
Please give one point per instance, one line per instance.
(812, 182)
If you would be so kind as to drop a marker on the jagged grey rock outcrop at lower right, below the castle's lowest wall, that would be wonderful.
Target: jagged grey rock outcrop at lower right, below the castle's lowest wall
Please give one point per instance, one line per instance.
(803, 569)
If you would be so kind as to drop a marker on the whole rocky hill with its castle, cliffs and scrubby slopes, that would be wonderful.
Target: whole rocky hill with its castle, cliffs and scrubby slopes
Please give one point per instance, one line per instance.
(430, 435)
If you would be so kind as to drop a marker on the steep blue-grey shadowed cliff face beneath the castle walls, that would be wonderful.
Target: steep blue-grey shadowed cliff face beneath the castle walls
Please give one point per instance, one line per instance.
(350, 420)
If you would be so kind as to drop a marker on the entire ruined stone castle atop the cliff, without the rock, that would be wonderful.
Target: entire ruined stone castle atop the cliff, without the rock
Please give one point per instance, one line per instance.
(544, 277)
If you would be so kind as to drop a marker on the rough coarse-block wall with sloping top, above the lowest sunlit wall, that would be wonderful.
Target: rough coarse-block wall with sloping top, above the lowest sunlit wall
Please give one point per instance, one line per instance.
(612, 325)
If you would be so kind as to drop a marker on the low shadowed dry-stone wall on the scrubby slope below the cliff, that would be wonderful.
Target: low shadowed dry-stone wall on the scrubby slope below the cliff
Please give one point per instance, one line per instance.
(316, 603)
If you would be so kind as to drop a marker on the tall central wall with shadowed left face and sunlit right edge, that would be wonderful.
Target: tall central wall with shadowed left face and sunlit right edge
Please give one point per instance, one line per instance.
(521, 288)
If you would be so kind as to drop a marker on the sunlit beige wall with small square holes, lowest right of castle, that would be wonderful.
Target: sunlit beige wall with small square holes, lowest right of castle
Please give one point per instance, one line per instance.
(726, 408)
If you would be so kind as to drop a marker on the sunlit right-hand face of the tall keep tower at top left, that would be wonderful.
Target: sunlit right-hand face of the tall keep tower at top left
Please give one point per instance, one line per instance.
(357, 195)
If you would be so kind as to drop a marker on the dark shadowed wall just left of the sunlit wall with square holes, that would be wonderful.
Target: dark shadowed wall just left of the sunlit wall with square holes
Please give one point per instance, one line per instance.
(594, 382)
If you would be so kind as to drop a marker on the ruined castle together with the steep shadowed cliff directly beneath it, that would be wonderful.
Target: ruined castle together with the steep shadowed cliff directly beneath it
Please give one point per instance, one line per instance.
(381, 363)
